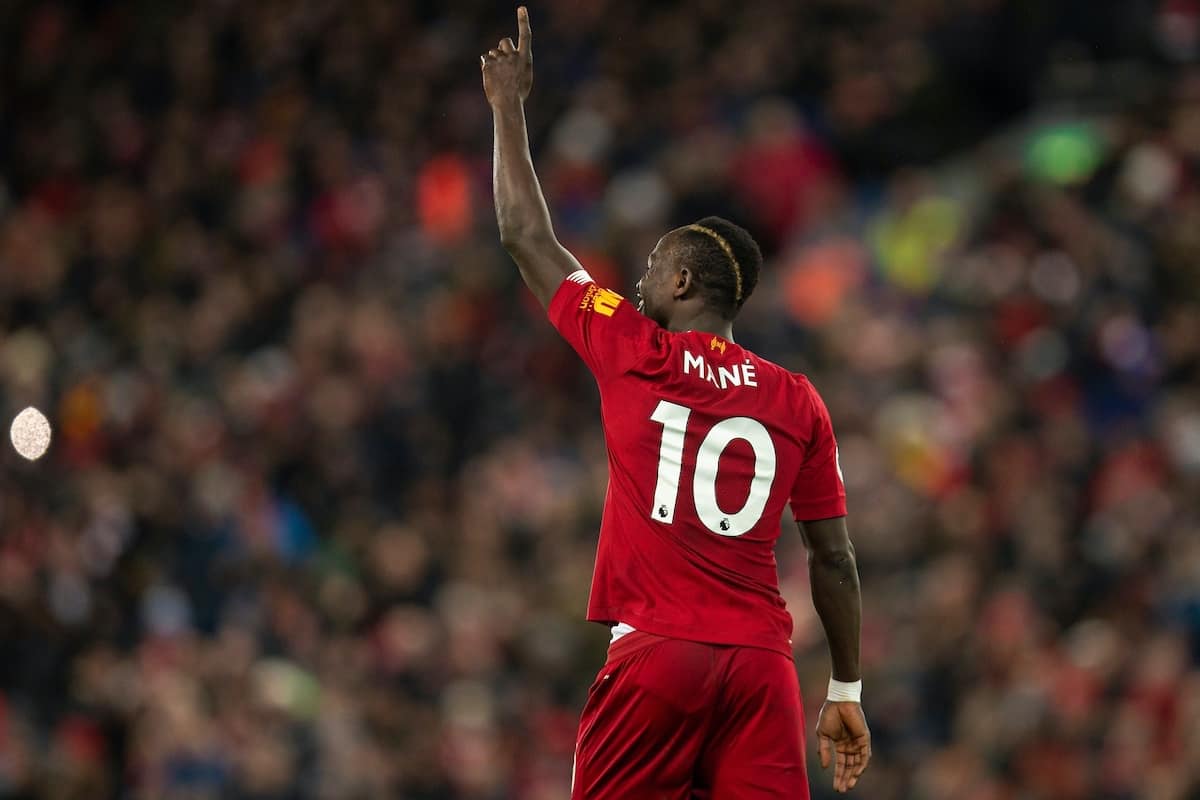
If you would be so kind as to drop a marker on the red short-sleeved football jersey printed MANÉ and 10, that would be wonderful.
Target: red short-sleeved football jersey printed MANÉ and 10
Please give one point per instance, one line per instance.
(707, 444)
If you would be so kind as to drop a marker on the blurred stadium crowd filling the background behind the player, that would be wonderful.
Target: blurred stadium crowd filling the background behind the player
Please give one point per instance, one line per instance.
(320, 516)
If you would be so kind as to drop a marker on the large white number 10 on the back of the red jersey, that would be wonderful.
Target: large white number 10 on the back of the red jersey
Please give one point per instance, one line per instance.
(674, 419)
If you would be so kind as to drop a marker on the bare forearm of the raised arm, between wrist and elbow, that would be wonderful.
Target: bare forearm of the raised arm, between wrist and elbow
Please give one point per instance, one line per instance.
(521, 208)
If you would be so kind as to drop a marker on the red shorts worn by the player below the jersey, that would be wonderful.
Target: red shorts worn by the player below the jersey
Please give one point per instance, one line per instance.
(669, 719)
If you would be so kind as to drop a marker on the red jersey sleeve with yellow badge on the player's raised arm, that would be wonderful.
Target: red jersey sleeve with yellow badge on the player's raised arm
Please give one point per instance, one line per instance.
(609, 334)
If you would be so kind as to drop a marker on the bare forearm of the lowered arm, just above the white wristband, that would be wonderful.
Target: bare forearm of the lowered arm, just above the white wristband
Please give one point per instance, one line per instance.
(833, 575)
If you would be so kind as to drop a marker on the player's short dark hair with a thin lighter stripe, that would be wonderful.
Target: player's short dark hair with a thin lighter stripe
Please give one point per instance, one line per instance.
(725, 260)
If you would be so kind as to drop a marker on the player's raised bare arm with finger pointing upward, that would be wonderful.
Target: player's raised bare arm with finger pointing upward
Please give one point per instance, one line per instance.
(521, 212)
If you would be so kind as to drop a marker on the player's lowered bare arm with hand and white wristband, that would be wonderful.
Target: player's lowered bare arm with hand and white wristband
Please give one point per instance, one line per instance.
(843, 736)
